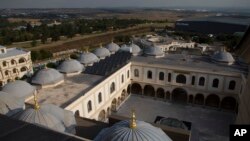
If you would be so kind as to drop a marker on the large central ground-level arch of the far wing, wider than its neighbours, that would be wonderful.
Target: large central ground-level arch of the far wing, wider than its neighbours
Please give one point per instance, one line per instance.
(179, 95)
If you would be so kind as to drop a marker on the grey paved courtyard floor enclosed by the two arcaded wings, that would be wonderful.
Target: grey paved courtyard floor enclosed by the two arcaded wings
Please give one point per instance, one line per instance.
(207, 124)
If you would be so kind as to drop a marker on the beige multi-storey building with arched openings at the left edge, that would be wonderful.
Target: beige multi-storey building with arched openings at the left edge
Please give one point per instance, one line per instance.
(14, 64)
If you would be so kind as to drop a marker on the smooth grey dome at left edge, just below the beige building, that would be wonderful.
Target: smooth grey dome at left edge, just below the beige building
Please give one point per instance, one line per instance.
(19, 89)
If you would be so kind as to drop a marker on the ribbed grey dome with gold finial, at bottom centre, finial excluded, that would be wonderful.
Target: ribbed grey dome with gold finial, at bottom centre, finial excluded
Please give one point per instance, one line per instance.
(121, 131)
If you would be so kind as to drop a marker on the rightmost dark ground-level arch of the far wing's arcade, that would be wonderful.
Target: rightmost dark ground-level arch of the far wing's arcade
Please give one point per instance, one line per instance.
(228, 103)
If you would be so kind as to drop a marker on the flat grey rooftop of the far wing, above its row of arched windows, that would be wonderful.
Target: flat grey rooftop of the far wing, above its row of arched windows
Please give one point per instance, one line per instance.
(192, 62)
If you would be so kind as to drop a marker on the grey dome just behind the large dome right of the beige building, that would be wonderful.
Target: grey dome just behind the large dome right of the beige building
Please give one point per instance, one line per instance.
(70, 66)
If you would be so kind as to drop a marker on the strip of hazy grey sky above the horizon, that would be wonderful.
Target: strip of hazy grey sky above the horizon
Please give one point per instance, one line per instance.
(121, 3)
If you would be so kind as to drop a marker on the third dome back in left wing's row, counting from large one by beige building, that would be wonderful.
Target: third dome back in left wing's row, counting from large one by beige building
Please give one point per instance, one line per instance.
(88, 58)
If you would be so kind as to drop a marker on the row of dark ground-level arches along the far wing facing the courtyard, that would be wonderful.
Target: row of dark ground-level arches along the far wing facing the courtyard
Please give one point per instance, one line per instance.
(180, 95)
